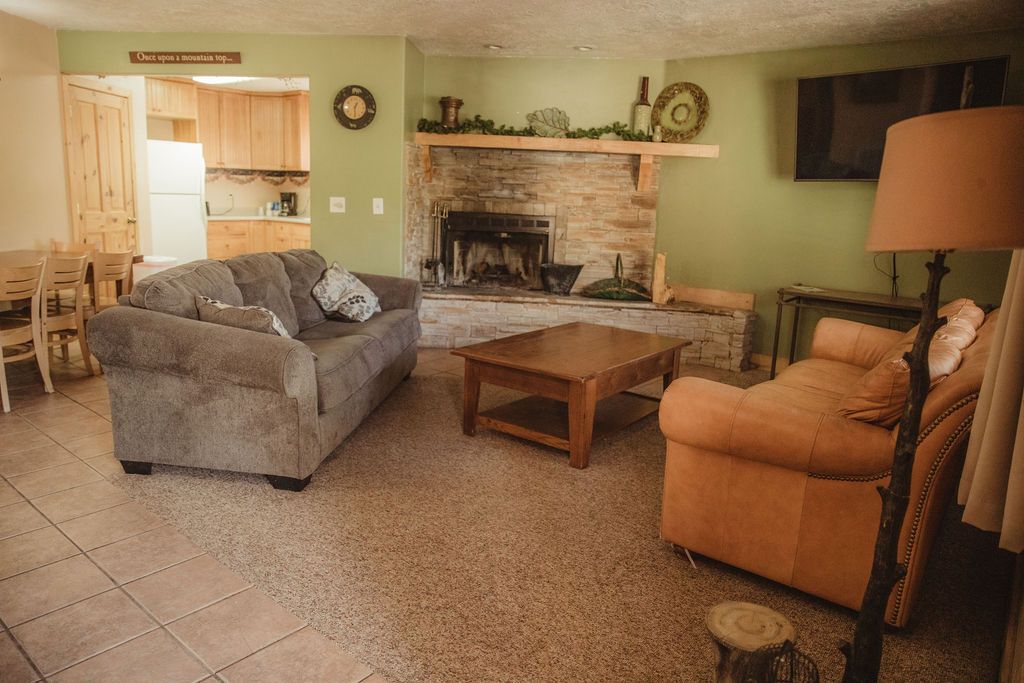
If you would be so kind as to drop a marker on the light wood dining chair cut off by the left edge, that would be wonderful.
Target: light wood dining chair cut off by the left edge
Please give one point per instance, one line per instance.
(23, 334)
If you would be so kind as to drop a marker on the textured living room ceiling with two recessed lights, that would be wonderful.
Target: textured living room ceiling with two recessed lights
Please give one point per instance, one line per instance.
(649, 29)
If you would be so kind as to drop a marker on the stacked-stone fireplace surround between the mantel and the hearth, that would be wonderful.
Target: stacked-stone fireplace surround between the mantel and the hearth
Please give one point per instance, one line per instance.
(593, 197)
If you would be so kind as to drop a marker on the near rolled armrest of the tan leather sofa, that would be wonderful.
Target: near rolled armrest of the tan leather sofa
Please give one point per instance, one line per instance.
(724, 419)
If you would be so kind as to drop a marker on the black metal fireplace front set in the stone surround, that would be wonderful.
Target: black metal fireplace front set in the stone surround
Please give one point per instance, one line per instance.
(496, 250)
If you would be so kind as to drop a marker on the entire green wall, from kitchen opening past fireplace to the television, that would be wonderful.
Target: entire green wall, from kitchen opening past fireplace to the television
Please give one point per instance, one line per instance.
(739, 223)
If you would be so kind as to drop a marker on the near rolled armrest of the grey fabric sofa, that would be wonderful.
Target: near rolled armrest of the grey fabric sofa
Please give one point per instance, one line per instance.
(142, 339)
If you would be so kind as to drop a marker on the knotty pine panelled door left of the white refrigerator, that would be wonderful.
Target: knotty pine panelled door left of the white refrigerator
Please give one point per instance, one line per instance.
(101, 165)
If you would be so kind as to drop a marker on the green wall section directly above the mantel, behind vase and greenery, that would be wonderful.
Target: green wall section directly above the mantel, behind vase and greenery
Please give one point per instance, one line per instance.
(593, 93)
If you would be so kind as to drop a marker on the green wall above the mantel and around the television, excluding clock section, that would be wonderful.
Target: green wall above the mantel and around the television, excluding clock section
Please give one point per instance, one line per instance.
(741, 223)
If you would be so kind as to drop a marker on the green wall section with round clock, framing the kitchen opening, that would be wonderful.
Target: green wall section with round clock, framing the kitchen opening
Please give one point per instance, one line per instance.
(358, 165)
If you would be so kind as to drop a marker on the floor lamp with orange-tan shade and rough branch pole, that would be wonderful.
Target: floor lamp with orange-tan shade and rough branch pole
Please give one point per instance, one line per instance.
(950, 181)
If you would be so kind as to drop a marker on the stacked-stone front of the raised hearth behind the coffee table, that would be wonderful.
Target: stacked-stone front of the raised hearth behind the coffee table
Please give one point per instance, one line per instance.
(722, 337)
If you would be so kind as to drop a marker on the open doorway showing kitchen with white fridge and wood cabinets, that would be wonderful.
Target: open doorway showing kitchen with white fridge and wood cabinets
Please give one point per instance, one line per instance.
(189, 167)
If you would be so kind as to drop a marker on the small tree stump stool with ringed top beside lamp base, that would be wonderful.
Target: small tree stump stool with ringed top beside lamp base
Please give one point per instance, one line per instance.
(741, 628)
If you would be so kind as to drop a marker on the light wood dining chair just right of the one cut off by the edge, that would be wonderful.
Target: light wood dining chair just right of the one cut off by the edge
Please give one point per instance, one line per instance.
(63, 324)
